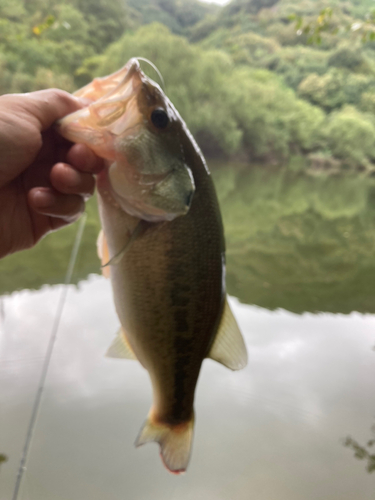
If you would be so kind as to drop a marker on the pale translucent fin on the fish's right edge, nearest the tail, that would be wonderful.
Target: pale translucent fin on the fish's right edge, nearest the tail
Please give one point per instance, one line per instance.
(229, 347)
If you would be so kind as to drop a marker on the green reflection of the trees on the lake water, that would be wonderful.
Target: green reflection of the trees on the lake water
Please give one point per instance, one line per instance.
(297, 241)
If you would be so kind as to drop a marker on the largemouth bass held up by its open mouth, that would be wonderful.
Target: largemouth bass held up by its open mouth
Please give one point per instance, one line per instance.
(162, 246)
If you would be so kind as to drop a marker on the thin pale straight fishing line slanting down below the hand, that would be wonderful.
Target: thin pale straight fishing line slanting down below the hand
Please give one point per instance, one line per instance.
(47, 359)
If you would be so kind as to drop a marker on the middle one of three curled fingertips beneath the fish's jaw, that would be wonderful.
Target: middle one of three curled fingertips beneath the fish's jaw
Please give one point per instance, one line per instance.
(67, 180)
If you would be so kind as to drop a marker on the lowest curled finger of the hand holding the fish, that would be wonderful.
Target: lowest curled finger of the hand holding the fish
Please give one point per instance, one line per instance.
(51, 203)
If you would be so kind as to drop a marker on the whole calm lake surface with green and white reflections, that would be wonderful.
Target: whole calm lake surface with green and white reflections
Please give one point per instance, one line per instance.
(297, 423)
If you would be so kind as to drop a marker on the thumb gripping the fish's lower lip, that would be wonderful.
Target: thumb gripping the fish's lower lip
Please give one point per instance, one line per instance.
(49, 105)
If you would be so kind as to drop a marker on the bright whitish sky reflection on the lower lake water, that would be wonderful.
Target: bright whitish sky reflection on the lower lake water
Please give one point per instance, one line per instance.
(274, 429)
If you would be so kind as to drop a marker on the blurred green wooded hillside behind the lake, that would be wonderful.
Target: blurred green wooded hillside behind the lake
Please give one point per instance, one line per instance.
(276, 82)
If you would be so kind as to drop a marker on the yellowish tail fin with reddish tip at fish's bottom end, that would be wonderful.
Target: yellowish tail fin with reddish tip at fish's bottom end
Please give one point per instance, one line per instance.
(174, 440)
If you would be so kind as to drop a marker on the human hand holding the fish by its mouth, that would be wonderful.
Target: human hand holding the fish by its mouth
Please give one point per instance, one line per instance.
(44, 180)
